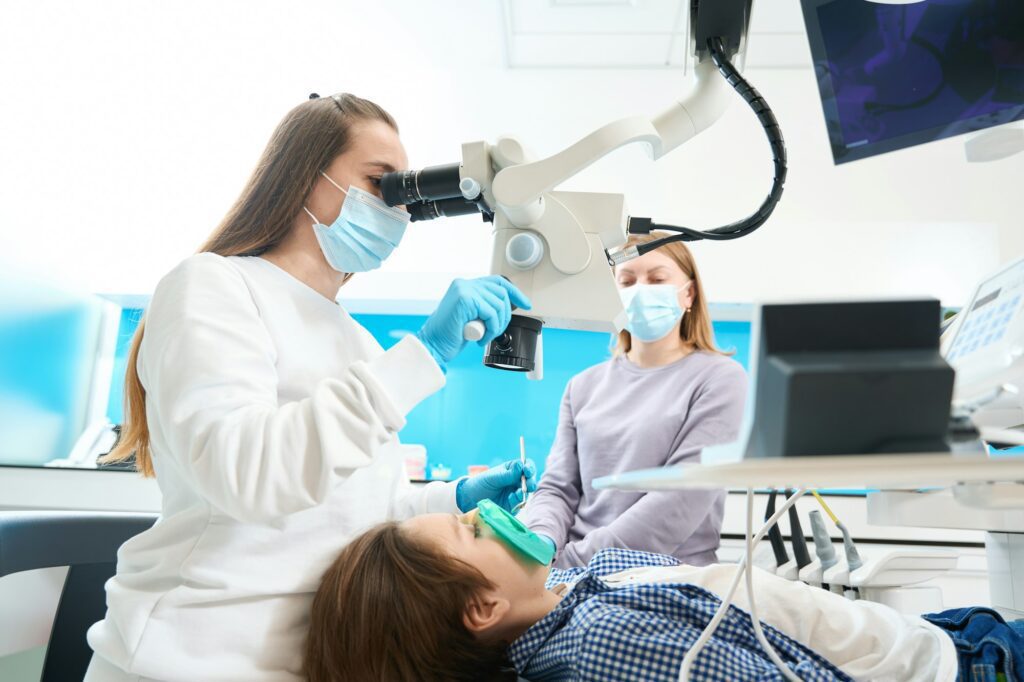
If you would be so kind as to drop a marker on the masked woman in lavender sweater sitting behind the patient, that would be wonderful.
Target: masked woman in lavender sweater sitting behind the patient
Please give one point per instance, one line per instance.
(667, 395)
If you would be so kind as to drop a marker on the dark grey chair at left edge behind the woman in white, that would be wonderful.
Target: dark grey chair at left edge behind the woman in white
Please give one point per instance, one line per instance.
(88, 544)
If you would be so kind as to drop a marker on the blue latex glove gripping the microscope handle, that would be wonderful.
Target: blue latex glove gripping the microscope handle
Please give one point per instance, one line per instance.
(488, 300)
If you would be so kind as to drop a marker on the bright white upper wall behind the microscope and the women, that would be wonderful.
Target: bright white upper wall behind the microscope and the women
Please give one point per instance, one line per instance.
(130, 127)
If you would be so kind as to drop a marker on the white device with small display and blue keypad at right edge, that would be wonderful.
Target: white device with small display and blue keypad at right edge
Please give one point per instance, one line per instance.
(986, 346)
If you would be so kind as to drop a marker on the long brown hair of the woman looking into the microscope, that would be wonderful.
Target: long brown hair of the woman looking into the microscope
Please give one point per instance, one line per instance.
(306, 143)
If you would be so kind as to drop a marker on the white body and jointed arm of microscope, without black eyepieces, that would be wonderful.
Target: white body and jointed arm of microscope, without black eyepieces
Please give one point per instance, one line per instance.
(552, 245)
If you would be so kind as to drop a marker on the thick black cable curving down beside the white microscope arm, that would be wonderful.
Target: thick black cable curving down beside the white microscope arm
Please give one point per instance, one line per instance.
(775, 135)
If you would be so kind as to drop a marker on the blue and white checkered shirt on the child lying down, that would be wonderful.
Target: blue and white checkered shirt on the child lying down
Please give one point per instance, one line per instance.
(643, 632)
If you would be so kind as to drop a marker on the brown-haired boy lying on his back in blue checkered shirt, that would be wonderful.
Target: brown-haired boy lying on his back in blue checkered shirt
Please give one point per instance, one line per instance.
(444, 598)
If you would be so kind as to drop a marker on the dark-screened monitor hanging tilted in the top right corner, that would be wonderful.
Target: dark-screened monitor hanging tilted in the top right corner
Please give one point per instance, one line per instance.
(897, 76)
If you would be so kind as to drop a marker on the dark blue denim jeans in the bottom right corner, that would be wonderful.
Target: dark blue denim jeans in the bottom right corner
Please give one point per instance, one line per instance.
(987, 646)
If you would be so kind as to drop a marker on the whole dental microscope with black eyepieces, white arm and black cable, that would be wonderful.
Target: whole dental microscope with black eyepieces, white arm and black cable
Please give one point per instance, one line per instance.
(560, 247)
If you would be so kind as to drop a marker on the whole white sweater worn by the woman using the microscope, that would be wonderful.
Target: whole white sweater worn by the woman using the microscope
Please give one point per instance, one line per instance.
(273, 420)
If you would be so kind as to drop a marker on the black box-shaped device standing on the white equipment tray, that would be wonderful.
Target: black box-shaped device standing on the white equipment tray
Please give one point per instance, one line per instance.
(854, 378)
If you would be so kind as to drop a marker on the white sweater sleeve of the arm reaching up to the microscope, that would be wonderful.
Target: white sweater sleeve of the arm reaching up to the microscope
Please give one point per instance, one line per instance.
(208, 367)
